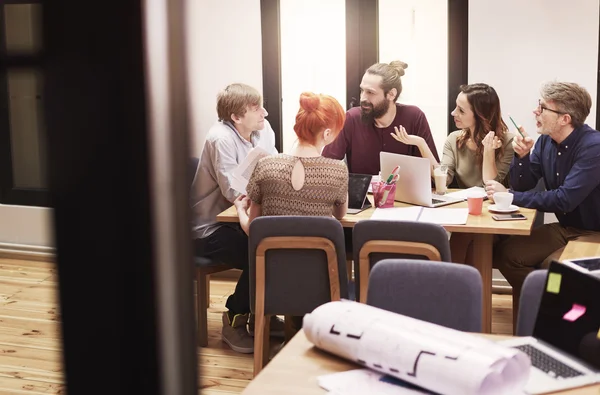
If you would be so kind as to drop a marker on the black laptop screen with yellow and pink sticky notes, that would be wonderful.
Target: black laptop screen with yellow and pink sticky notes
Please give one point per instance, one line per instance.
(569, 314)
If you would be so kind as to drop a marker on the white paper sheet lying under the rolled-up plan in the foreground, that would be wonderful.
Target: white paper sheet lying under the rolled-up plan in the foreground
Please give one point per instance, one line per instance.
(366, 381)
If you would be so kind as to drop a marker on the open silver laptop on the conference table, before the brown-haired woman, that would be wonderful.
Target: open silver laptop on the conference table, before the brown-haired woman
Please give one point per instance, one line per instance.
(414, 184)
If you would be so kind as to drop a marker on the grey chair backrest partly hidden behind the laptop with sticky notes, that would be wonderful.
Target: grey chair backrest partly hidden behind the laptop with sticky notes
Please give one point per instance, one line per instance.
(529, 304)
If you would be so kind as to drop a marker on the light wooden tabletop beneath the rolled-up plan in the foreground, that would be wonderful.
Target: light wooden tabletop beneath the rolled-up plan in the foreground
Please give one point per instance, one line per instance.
(295, 369)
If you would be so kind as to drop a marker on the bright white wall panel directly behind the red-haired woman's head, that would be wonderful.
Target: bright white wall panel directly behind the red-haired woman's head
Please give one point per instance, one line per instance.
(313, 55)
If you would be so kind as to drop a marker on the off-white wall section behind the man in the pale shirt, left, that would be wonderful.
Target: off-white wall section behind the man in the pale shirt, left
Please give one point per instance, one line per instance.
(224, 46)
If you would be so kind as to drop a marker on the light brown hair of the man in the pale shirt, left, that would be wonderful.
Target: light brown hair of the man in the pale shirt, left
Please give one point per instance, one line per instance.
(235, 99)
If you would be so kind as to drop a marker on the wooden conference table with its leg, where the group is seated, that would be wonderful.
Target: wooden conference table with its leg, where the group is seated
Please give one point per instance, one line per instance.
(481, 227)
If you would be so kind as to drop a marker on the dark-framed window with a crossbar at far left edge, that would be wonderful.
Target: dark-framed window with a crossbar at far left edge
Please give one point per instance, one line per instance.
(23, 179)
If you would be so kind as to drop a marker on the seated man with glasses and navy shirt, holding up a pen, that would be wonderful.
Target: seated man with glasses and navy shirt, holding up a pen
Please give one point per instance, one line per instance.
(567, 156)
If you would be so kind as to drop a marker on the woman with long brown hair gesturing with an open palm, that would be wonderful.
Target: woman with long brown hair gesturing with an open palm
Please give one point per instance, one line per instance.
(482, 149)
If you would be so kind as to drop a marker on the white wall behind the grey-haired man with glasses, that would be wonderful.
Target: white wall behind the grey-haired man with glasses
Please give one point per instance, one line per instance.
(515, 45)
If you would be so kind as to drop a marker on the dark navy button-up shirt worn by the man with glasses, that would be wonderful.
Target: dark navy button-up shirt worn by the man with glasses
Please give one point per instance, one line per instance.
(571, 172)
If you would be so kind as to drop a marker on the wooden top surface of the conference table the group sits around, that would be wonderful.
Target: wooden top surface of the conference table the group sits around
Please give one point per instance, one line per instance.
(475, 224)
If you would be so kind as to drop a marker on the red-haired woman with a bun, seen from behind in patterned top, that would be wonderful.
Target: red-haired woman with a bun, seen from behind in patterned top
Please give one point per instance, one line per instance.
(304, 182)
